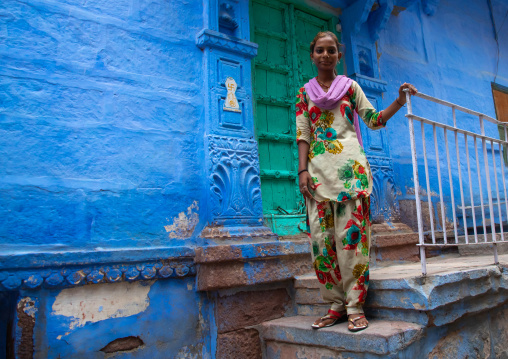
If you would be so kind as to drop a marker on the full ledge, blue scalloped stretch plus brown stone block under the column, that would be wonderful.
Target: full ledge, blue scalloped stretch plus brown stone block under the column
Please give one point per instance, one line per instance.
(258, 262)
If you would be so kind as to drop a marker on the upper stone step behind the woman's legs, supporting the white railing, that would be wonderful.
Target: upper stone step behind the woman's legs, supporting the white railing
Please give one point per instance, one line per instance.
(453, 287)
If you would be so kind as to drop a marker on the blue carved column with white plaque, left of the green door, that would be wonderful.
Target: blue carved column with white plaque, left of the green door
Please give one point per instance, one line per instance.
(234, 194)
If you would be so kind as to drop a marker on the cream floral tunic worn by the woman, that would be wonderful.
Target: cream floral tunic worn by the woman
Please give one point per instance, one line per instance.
(337, 162)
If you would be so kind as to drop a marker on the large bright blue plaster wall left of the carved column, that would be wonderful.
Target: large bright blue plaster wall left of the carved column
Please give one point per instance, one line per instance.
(100, 122)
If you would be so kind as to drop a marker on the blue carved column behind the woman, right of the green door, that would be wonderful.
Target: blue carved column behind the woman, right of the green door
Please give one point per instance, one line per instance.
(360, 29)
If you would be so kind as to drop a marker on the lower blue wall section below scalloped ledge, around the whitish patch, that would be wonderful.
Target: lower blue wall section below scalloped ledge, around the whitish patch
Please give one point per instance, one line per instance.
(175, 324)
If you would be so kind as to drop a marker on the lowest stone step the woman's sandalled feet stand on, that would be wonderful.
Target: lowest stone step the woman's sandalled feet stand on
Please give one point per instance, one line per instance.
(293, 337)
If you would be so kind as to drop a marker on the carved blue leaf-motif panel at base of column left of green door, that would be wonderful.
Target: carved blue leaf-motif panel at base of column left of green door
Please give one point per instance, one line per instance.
(235, 191)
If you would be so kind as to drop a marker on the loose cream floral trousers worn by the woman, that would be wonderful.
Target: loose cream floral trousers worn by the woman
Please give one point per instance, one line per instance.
(340, 238)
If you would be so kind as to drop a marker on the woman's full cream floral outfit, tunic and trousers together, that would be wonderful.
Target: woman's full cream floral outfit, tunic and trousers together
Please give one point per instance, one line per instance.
(339, 215)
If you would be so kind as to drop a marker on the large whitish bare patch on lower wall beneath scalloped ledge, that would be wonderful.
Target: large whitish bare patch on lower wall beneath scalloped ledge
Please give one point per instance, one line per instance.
(93, 303)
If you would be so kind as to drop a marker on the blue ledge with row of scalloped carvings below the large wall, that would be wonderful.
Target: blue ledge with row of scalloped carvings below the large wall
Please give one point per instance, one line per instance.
(53, 269)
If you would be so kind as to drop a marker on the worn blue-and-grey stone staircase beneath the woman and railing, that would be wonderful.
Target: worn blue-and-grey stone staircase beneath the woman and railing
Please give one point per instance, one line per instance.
(405, 311)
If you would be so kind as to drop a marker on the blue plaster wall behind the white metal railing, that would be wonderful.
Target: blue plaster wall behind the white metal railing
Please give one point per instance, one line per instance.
(450, 55)
